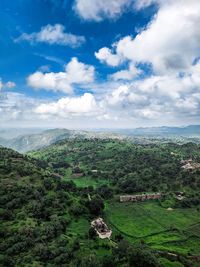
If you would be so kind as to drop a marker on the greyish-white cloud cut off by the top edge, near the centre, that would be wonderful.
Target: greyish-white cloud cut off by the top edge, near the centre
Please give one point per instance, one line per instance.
(98, 10)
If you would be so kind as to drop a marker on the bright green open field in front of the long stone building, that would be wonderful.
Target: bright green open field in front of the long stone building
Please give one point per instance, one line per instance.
(176, 230)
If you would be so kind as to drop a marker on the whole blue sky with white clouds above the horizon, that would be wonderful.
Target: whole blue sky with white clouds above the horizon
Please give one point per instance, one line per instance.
(99, 64)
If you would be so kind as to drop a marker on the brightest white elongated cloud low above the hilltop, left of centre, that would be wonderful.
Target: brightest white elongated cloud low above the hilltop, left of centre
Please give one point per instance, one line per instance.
(84, 105)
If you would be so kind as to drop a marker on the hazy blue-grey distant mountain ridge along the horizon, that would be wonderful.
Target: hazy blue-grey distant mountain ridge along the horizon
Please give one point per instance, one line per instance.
(37, 140)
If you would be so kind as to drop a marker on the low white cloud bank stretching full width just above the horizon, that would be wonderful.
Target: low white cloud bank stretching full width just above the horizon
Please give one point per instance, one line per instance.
(156, 100)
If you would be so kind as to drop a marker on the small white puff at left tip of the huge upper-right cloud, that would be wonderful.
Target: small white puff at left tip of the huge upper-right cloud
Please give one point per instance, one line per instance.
(105, 55)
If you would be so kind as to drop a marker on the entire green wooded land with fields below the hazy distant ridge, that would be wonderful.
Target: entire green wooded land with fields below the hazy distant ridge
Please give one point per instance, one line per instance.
(50, 196)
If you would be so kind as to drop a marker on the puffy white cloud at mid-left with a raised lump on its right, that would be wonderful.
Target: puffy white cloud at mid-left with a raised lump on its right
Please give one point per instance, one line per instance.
(75, 73)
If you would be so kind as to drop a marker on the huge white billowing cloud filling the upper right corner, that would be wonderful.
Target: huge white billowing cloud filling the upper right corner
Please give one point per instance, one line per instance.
(168, 44)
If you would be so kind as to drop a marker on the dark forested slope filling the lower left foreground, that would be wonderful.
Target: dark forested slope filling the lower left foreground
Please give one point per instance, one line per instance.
(45, 221)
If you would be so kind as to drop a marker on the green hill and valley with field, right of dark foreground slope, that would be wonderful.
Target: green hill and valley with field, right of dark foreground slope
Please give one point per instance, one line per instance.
(119, 167)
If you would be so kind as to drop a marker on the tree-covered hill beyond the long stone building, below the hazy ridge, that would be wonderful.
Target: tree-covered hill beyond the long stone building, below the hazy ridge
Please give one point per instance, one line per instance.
(125, 166)
